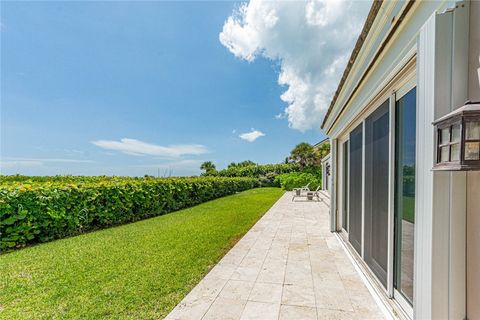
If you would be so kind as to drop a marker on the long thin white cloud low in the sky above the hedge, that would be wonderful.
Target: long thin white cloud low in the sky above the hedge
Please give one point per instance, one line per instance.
(139, 148)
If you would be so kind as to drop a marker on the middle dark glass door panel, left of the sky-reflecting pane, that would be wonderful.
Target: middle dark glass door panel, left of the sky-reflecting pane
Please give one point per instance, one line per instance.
(376, 191)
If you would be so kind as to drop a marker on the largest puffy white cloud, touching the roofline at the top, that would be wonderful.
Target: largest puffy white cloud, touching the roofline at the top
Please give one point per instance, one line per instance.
(311, 39)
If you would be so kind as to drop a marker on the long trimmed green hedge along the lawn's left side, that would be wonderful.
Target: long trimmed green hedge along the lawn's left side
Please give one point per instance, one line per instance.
(39, 210)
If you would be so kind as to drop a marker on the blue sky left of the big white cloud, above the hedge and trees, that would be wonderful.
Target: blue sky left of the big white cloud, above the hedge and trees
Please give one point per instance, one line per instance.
(79, 77)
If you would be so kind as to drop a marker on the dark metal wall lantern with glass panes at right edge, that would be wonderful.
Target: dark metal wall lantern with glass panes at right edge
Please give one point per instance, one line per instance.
(458, 139)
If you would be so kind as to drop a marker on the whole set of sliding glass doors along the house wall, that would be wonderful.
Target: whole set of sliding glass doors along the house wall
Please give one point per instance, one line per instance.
(375, 171)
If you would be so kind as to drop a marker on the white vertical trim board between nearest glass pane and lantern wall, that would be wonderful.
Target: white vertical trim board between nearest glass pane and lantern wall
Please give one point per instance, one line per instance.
(424, 179)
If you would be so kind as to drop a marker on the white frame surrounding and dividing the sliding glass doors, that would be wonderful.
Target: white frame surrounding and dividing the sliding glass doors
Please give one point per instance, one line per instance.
(401, 82)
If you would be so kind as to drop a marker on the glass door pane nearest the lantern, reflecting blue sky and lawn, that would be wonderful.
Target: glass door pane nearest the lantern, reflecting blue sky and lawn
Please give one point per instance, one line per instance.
(405, 137)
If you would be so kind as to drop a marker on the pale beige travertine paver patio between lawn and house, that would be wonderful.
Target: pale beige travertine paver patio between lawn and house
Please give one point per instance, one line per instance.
(288, 266)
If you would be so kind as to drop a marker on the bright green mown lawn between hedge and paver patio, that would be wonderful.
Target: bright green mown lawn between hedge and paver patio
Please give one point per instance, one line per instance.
(136, 271)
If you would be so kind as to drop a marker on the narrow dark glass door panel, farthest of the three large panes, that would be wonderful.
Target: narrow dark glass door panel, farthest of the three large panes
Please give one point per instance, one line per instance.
(355, 189)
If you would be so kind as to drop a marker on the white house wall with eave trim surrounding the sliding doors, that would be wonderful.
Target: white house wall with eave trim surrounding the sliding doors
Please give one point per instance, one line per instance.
(448, 64)
